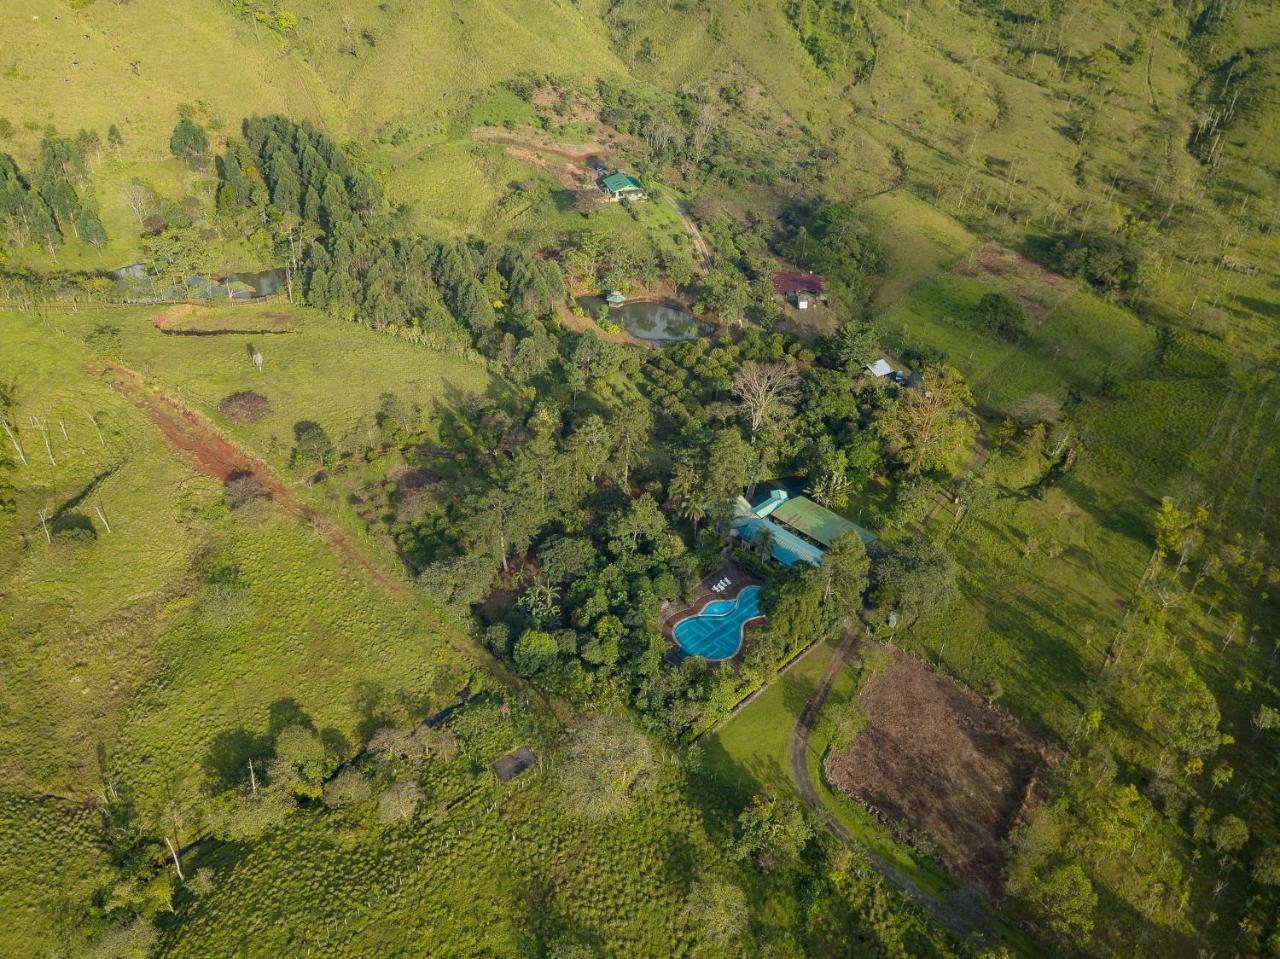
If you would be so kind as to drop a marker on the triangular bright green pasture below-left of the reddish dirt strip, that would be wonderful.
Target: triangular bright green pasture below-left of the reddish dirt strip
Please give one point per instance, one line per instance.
(154, 628)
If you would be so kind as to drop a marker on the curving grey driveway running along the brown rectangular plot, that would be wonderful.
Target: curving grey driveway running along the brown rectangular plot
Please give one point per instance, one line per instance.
(961, 911)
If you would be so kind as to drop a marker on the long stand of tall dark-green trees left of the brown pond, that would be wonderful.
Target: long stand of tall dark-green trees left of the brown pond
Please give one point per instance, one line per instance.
(356, 262)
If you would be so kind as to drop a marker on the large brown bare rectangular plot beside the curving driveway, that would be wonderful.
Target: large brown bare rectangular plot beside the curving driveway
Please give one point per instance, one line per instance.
(938, 759)
